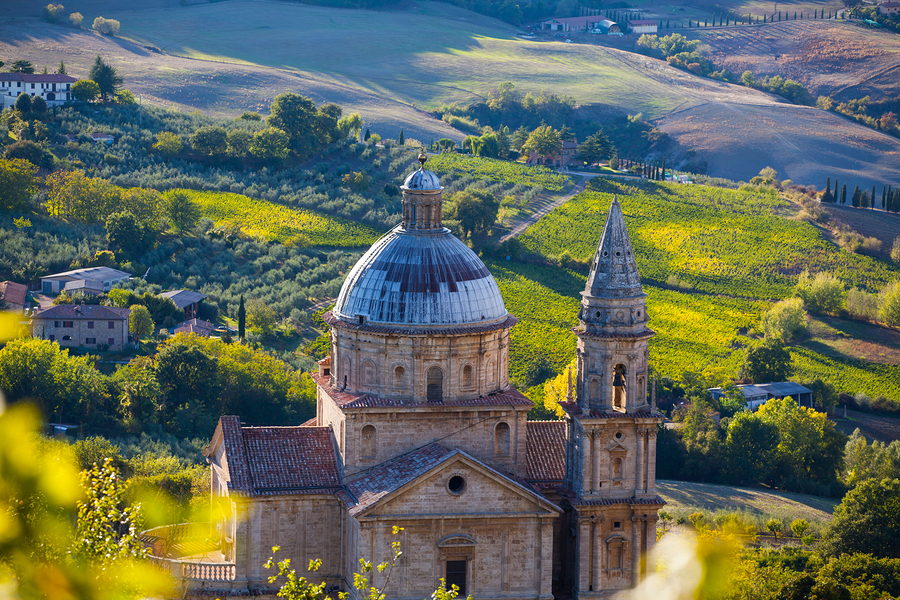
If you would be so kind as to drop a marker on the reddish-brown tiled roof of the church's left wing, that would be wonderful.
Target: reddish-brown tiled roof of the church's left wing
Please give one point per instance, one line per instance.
(265, 461)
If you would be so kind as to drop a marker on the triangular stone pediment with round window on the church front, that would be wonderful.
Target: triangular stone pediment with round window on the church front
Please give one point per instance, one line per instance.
(458, 485)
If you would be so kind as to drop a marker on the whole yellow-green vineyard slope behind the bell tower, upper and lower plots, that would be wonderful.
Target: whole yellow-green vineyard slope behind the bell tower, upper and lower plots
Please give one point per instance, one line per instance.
(731, 245)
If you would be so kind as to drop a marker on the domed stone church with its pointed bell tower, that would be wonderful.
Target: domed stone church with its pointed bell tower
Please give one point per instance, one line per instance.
(417, 426)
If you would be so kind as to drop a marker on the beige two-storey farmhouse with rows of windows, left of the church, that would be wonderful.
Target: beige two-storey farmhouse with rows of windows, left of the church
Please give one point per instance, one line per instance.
(80, 325)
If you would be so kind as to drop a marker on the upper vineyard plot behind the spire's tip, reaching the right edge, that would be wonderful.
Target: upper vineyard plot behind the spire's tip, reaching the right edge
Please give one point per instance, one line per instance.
(715, 240)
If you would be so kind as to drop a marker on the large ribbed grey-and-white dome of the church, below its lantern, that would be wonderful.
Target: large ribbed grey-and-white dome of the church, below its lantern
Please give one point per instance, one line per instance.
(420, 278)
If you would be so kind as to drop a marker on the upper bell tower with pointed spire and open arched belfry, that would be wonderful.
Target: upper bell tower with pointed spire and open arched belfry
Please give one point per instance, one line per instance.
(613, 338)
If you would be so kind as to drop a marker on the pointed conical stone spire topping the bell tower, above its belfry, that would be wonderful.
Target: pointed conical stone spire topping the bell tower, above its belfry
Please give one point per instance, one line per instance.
(614, 272)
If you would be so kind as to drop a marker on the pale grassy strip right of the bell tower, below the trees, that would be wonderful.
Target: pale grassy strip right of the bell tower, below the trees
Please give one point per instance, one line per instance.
(684, 497)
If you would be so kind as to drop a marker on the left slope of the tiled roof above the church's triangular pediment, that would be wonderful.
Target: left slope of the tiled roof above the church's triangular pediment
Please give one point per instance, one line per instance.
(394, 474)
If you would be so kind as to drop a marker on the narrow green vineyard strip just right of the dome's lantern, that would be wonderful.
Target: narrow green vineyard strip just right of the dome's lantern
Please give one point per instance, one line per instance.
(499, 170)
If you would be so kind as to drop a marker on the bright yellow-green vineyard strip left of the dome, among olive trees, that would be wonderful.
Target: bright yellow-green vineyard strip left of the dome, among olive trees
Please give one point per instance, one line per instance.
(267, 220)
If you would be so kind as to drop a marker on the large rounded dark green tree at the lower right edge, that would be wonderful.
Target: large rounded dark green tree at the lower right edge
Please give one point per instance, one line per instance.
(866, 521)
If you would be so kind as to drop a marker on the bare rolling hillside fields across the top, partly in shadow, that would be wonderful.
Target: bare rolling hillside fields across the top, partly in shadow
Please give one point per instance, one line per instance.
(196, 57)
